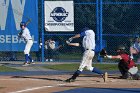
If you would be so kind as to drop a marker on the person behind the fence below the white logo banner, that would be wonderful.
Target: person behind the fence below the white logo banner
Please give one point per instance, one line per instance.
(49, 46)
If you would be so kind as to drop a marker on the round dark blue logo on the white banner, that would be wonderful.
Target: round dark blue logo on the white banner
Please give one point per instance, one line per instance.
(59, 14)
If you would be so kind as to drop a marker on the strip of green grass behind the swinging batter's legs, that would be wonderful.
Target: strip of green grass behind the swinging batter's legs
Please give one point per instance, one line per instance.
(72, 67)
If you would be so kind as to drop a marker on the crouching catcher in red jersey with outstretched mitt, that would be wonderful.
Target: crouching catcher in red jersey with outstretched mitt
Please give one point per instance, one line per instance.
(126, 65)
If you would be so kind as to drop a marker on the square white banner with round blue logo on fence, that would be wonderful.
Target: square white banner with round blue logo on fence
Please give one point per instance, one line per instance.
(59, 16)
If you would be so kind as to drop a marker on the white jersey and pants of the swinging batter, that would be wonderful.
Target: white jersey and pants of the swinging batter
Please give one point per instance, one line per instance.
(89, 46)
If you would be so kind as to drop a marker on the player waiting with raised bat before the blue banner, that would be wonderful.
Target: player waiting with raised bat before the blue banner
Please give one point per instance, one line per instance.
(25, 34)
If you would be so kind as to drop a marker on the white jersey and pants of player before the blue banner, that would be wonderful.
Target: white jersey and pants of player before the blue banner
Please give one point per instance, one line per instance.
(28, 39)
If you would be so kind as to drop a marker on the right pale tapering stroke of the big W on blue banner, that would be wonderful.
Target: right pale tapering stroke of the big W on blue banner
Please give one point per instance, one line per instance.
(18, 8)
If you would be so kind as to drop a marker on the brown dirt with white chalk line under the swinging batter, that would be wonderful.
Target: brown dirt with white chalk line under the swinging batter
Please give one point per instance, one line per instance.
(55, 83)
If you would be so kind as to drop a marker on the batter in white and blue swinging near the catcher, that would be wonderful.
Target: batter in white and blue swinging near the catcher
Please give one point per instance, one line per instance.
(88, 44)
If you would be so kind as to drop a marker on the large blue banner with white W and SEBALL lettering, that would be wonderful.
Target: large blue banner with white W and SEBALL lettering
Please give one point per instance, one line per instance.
(12, 12)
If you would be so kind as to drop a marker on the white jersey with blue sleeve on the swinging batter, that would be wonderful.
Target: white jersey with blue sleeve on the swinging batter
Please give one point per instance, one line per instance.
(88, 39)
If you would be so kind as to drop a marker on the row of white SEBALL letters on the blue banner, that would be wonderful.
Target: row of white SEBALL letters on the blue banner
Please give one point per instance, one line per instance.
(12, 39)
